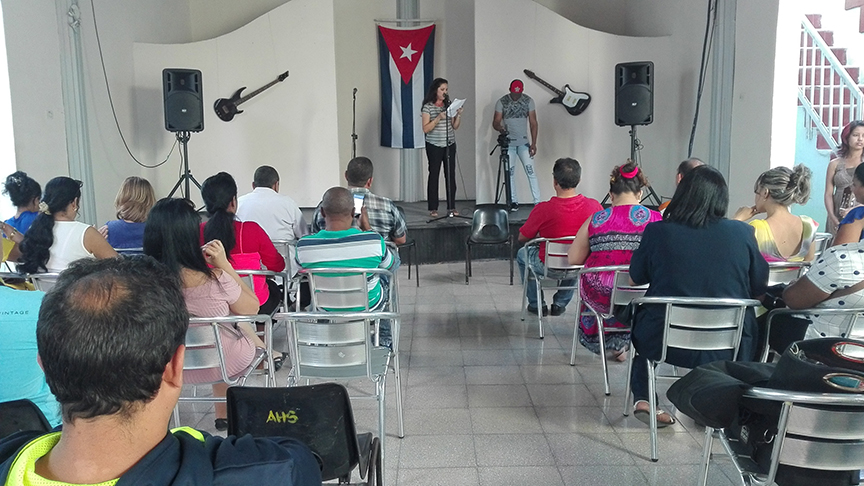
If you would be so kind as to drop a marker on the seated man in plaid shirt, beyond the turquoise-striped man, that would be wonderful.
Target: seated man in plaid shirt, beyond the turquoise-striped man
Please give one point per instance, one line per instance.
(384, 217)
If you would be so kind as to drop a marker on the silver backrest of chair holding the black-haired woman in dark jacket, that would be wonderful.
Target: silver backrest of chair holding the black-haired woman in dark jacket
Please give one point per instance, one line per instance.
(701, 324)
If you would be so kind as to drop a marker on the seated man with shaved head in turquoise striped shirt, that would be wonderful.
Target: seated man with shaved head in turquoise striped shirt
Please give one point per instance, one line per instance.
(340, 245)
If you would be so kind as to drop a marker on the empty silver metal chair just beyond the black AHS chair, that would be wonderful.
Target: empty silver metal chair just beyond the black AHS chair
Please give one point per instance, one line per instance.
(335, 346)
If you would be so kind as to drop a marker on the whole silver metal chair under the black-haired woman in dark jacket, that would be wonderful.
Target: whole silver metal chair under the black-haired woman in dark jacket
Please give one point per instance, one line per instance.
(691, 323)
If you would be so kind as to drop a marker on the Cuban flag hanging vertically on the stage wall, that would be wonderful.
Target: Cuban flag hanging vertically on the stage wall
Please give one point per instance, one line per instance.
(405, 60)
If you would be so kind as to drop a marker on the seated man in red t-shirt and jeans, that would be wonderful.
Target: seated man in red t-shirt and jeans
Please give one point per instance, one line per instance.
(560, 216)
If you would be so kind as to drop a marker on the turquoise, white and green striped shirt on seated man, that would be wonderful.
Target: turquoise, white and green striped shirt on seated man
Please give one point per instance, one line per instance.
(349, 248)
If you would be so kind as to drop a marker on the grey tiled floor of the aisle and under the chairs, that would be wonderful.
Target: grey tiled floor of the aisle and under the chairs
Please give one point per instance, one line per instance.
(488, 403)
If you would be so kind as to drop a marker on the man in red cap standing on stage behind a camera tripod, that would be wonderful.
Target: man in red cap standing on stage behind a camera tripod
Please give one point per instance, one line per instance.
(512, 112)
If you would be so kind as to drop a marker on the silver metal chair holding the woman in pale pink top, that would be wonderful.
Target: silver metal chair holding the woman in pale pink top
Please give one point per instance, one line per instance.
(204, 352)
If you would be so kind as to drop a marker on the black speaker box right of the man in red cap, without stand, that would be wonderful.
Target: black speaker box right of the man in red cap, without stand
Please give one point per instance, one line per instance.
(634, 93)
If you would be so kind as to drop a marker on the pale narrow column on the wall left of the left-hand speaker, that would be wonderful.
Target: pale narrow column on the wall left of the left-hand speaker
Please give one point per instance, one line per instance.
(75, 105)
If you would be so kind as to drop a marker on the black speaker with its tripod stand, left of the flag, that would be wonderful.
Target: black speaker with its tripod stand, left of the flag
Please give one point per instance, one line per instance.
(184, 113)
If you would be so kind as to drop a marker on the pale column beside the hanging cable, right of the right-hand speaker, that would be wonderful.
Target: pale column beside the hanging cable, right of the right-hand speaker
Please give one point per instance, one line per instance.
(722, 83)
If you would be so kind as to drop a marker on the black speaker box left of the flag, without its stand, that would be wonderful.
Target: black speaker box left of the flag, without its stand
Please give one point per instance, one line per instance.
(184, 104)
